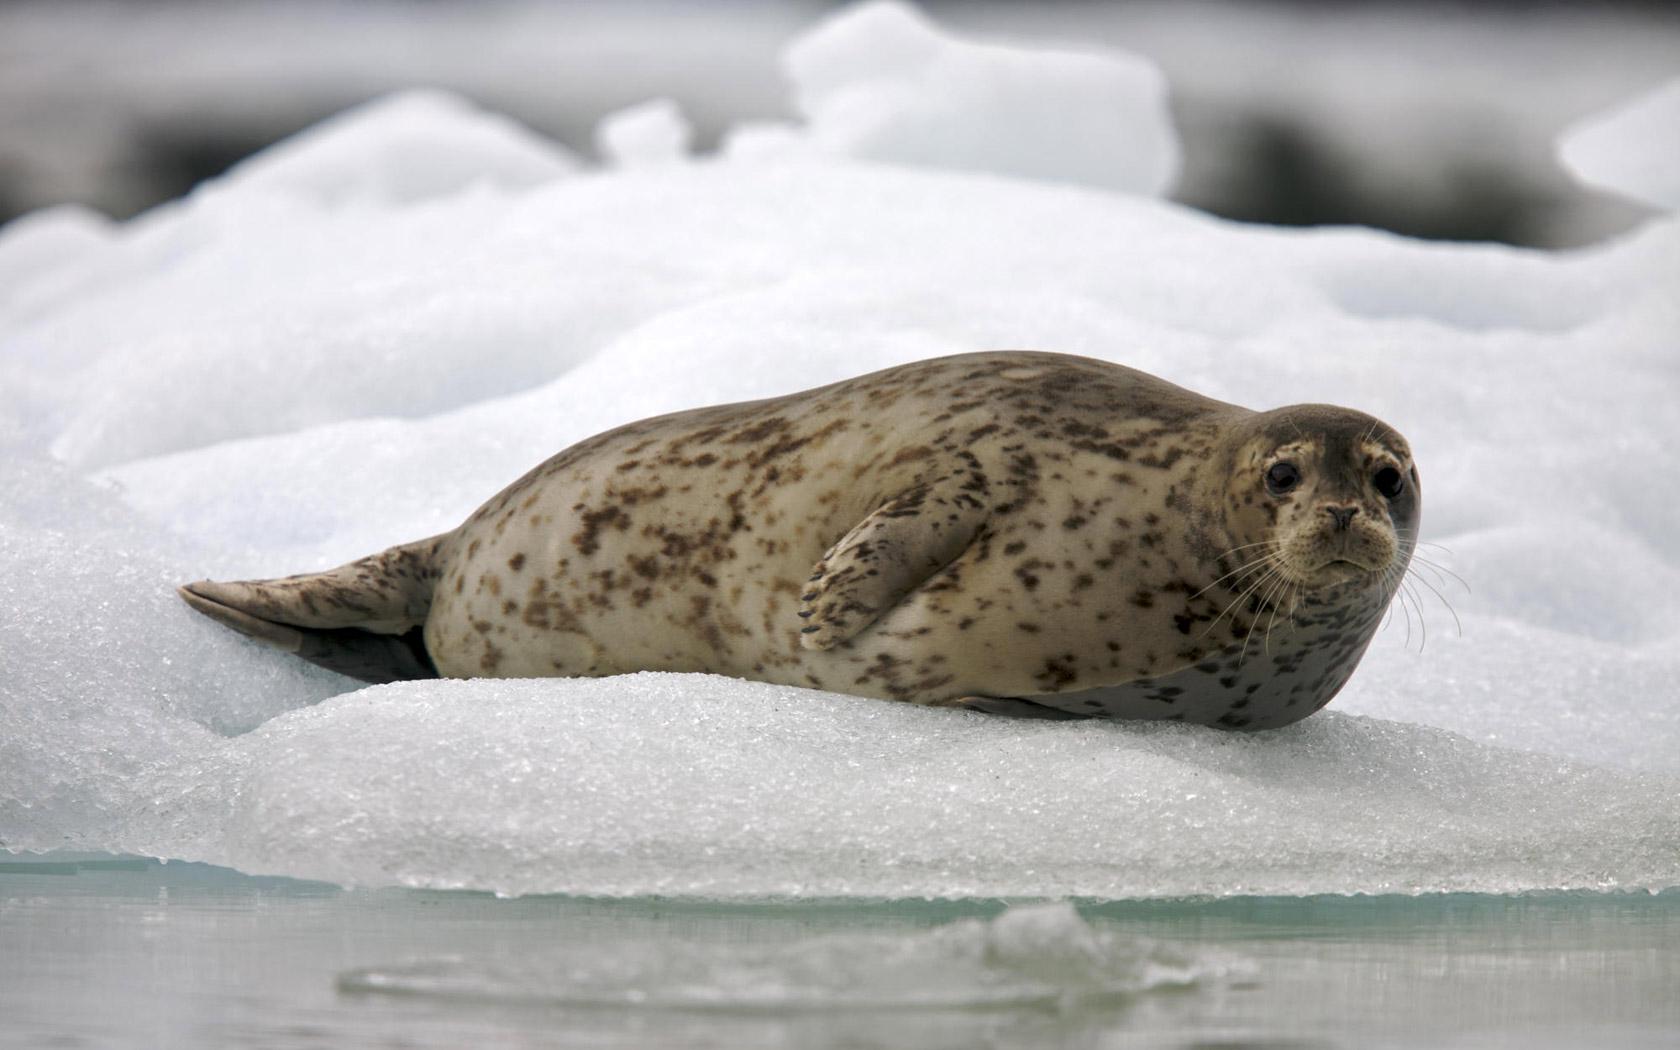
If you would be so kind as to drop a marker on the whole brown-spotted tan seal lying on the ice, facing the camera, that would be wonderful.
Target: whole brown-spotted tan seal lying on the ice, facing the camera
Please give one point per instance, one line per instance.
(1021, 533)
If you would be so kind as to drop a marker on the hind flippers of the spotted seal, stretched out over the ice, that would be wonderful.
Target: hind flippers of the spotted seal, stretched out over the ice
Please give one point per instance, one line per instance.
(362, 621)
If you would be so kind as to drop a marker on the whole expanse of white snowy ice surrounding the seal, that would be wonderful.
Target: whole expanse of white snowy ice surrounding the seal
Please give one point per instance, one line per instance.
(305, 364)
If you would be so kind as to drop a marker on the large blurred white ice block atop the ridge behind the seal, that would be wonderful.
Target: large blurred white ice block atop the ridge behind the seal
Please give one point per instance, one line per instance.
(879, 81)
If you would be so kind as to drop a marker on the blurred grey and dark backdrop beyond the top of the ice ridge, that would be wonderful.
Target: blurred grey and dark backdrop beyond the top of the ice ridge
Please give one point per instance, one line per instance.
(1427, 118)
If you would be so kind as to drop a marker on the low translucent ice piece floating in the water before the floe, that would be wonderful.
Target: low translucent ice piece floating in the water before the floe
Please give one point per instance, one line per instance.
(1032, 955)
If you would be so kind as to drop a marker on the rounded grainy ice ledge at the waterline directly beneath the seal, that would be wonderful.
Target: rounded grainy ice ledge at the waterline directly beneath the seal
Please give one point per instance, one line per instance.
(700, 785)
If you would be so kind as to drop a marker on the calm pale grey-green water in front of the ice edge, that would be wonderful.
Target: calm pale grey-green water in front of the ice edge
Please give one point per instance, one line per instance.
(132, 953)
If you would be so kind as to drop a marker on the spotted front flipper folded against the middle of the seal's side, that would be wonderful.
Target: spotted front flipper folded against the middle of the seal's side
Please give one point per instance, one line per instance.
(886, 557)
